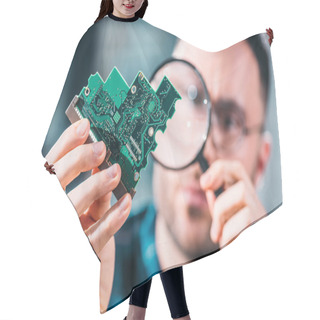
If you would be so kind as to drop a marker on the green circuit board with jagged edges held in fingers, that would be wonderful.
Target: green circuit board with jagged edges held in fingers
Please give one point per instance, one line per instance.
(126, 119)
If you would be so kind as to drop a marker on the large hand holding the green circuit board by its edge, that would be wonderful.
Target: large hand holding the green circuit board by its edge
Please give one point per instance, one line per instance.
(91, 199)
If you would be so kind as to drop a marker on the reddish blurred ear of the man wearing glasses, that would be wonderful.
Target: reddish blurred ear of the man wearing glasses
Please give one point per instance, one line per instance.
(263, 156)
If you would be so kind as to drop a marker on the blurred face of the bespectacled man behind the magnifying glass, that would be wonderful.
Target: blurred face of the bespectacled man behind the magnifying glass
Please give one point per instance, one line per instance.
(231, 76)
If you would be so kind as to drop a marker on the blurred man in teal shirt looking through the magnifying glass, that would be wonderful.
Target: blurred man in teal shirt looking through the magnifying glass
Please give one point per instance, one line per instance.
(186, 220)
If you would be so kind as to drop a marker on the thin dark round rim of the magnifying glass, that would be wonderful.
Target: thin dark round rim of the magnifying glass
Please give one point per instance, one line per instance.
(167, 61)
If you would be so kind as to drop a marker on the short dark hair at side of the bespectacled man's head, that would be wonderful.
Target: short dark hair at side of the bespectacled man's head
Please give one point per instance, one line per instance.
(258, 45)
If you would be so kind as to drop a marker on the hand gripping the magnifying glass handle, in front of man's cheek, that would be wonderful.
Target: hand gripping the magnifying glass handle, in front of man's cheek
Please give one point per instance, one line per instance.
(235, 208)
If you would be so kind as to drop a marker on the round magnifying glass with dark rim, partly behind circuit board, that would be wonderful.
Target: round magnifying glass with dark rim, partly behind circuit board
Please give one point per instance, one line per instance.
(183, 141)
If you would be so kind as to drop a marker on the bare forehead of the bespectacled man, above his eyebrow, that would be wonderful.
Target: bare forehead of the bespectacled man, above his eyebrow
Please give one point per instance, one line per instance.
(232, 73)
